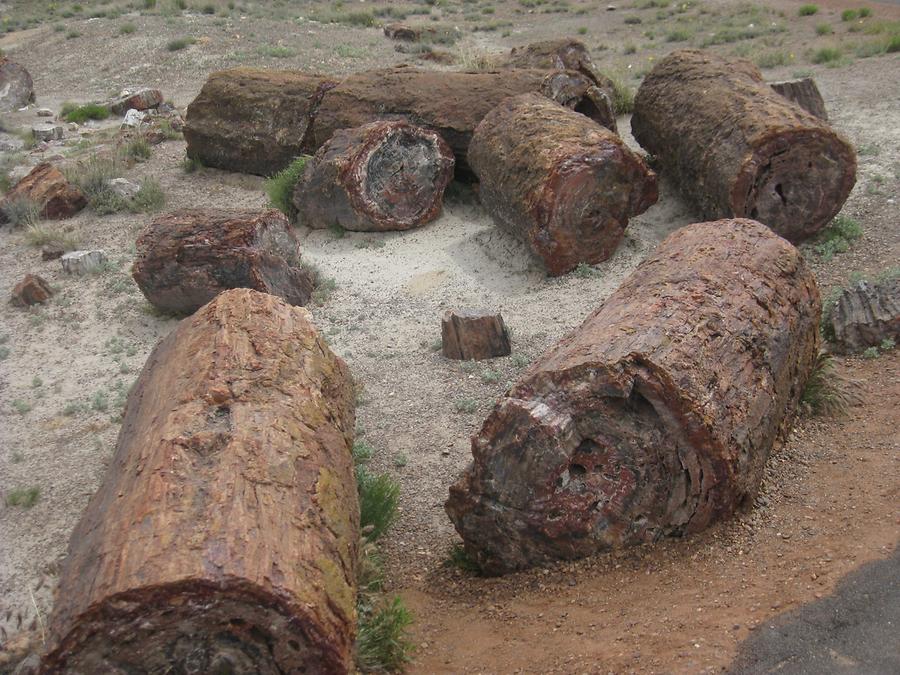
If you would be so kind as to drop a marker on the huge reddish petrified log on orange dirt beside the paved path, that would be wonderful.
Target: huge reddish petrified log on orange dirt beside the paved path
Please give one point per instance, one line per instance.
(653, 418)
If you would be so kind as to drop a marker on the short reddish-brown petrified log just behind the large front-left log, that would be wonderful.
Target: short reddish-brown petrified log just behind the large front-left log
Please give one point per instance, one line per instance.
(186, 258)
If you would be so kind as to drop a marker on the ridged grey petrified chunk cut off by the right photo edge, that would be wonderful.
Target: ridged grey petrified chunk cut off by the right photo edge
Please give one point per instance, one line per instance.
(866, 314)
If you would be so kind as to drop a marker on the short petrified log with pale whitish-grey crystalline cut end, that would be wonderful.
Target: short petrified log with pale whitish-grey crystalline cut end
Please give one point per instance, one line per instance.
(378, 177)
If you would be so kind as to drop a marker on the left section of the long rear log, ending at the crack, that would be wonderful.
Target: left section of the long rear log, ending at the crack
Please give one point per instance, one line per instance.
(253, 121)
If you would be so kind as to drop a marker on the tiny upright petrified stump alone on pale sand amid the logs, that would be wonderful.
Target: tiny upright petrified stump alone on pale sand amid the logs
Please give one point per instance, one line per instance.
(473, 335)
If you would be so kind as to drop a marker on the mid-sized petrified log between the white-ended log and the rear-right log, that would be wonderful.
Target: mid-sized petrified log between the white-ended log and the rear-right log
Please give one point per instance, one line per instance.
(558, 180)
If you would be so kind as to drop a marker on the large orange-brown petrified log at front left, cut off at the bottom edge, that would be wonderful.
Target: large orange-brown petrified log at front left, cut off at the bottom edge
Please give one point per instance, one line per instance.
(223, 537)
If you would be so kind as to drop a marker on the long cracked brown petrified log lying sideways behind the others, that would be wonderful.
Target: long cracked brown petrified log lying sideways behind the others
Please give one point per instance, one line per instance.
(258, 121)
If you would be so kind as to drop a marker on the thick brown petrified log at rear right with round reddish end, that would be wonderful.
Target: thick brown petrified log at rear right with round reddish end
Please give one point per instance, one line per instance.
(737, 148)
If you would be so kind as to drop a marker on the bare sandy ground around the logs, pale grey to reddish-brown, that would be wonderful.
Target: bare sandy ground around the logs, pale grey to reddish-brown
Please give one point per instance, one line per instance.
(829, 500)
